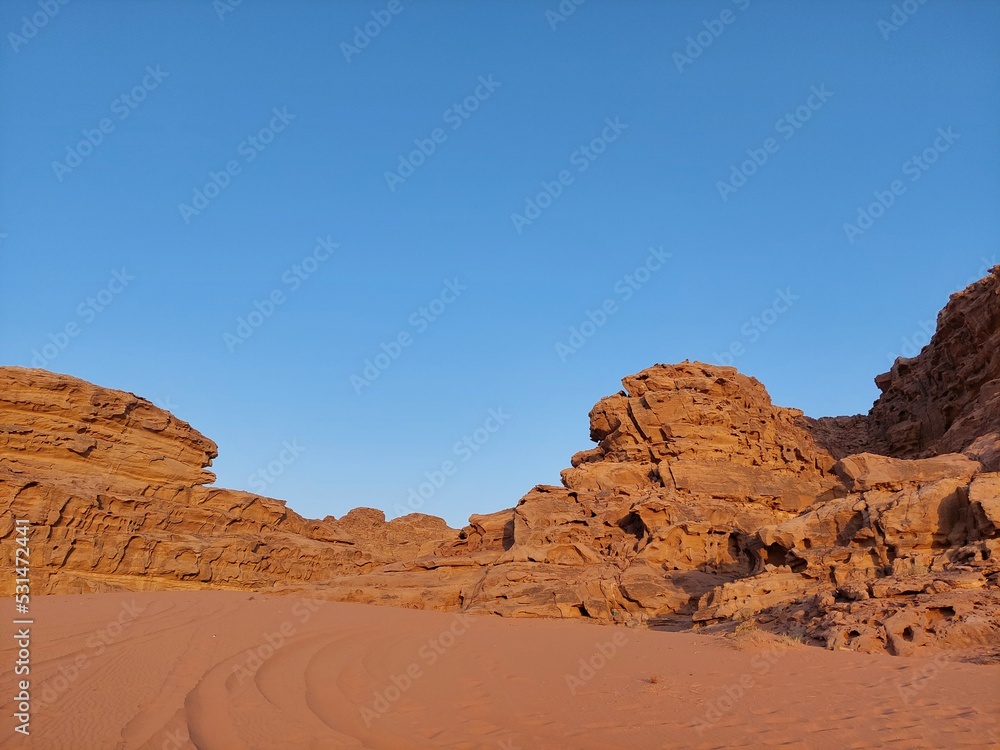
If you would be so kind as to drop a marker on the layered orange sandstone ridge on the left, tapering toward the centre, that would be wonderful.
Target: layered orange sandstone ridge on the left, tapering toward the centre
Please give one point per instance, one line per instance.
(114, 487)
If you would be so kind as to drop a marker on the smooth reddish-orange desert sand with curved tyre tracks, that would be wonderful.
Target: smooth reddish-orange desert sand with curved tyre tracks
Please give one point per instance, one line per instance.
(223, 671)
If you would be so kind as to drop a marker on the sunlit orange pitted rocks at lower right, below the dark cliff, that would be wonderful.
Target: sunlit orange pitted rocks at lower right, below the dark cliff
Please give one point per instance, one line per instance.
(845, 572)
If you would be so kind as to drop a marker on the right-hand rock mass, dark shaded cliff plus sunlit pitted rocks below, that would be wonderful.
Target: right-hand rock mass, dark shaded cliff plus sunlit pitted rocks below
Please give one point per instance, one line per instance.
(909, 557)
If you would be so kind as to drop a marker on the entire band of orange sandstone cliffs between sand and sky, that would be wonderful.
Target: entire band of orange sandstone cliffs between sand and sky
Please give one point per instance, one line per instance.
(703, 505)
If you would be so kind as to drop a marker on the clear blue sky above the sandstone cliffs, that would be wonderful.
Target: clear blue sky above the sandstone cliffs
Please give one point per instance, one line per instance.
(464, 183)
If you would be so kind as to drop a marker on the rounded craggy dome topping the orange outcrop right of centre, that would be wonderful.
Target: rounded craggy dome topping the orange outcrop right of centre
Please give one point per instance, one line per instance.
(701, 430)
